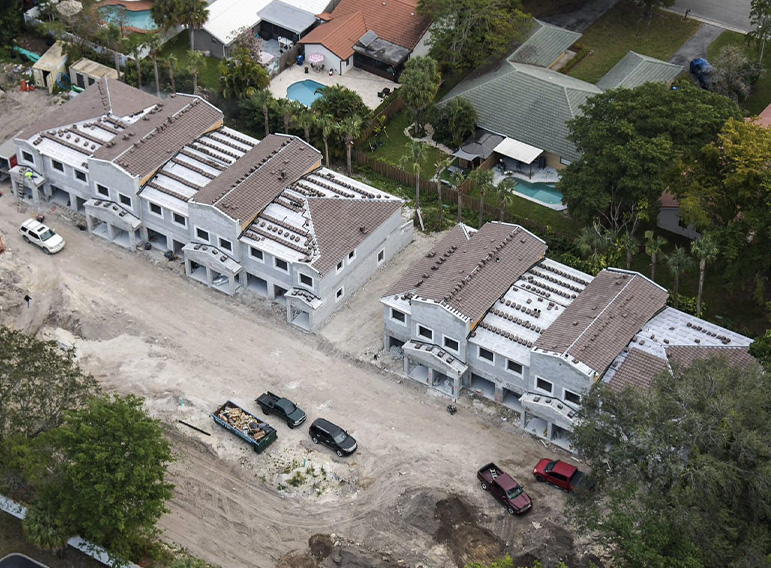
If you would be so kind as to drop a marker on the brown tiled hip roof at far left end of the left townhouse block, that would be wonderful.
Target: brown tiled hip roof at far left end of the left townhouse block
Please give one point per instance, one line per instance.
(106, 96)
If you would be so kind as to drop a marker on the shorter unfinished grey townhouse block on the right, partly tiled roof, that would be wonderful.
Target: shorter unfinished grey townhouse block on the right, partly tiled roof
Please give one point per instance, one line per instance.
(487, 311)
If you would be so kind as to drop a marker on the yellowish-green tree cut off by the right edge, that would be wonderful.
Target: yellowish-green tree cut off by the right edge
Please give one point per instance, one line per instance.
(727, 190)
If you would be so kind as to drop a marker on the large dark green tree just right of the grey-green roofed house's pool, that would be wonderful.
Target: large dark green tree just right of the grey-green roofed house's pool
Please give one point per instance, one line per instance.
(631, 143)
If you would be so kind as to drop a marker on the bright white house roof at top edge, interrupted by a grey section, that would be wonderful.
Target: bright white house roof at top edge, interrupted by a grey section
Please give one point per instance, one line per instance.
(227, 17)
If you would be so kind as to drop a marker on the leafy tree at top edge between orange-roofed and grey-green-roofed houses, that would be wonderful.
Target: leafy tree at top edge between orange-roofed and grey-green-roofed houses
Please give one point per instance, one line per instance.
(466, 33)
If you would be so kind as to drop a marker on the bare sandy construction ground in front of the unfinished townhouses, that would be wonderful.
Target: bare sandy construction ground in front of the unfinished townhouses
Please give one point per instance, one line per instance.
(408, 497)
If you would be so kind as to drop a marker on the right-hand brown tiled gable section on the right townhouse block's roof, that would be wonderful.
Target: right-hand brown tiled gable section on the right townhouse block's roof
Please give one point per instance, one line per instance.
(598, 324)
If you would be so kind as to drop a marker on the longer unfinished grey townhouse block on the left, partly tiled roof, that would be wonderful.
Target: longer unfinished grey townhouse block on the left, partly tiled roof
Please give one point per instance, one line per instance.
(243, 214)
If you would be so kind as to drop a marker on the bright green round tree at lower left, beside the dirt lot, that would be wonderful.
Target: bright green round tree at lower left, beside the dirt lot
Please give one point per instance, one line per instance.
(108, 471)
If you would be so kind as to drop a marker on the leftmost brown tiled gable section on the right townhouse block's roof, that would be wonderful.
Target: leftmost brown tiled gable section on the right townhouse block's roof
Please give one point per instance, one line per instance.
(469, 274)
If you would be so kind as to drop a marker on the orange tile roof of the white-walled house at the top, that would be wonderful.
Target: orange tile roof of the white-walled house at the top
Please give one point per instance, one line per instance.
(396, 21)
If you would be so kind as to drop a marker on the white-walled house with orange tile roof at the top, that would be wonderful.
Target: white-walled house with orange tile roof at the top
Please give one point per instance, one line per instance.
(374, 35)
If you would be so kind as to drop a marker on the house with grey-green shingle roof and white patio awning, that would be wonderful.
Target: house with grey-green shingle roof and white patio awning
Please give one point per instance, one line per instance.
(527, 102)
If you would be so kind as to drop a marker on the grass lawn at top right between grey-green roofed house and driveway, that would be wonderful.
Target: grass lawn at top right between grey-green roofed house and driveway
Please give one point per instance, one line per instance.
(623, 29)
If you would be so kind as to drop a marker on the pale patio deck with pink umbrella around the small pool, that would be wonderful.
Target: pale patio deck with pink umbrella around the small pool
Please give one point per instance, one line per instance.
(365, 84)
